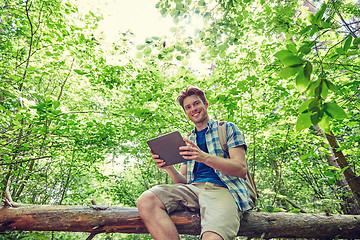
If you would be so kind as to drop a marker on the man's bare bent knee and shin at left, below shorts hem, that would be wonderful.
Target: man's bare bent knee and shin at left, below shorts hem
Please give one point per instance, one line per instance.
(157, 221)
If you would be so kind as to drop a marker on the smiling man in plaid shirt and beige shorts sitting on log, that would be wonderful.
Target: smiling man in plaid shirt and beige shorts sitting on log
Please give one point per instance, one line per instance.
(212, 180)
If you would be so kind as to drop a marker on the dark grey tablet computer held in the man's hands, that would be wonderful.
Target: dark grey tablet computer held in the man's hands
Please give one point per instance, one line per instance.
(167, 147)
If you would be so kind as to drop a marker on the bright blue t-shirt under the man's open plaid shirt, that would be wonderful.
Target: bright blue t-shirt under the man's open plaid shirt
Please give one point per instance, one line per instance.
(202, 172)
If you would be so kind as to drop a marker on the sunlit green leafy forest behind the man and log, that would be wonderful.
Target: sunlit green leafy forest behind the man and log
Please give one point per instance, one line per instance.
(75, 114)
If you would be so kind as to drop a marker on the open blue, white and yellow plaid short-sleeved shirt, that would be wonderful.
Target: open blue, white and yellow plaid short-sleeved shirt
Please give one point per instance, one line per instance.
(237, 186)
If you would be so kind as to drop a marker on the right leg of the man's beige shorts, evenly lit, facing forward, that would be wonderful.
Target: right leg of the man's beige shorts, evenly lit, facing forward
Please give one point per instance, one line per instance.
(219, 211)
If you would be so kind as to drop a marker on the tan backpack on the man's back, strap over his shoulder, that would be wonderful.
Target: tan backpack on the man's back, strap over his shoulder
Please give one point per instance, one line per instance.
(249, 178)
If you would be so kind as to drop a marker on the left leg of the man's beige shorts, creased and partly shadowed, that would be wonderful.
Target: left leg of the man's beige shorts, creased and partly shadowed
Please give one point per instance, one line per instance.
(177, 197)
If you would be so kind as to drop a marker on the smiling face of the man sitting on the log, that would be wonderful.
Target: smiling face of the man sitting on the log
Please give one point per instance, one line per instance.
(195, 109)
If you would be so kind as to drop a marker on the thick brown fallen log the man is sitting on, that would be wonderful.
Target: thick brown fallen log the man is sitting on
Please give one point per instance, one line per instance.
(103, 219)
